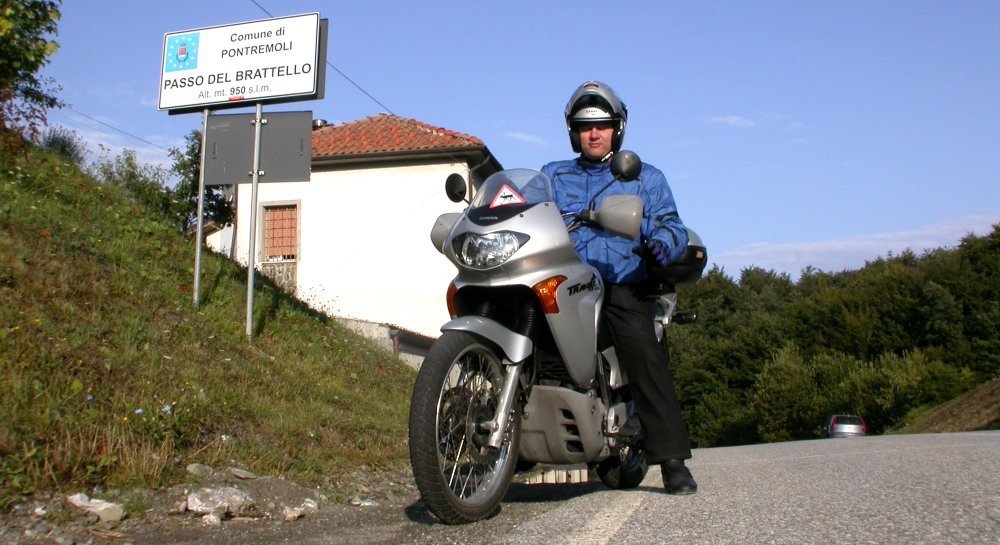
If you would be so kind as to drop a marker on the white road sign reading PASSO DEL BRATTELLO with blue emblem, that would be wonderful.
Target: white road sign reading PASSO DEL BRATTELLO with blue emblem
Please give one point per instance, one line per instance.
(244, 64)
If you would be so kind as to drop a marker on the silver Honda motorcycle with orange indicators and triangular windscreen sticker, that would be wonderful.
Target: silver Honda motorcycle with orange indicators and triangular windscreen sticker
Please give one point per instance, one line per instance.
(524, 373)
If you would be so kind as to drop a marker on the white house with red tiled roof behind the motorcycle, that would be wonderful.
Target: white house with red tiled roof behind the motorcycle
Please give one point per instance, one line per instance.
(353, 242)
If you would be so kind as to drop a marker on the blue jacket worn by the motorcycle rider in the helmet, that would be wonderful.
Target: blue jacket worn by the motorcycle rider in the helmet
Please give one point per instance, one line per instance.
(577, 181)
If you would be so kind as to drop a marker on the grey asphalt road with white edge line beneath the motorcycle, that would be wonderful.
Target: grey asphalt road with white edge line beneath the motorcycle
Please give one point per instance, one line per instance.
(908, 489)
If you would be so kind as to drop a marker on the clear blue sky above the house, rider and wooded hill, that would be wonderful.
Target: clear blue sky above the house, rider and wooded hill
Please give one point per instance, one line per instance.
(792, 133)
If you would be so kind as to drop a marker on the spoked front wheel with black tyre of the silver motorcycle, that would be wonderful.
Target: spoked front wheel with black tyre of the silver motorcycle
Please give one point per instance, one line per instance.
(460, 478)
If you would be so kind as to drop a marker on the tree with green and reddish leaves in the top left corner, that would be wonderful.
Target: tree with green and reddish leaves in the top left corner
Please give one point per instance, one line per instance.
(24, 98)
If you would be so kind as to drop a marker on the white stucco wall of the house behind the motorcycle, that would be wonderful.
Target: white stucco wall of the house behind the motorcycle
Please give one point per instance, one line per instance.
(364, 242)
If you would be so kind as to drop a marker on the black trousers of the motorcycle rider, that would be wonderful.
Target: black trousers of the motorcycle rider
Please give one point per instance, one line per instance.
(629, 317)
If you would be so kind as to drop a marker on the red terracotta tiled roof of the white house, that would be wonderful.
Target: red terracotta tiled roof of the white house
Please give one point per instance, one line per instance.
(386, 133)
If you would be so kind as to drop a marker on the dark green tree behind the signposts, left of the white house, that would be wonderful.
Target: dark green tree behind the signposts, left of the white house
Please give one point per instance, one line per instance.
(187, 165)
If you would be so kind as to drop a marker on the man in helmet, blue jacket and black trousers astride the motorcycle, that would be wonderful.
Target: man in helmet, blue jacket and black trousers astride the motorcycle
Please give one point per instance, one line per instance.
(596, 119)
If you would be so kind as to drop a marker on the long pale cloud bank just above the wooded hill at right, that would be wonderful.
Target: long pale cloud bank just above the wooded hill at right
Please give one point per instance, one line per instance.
(852, 252)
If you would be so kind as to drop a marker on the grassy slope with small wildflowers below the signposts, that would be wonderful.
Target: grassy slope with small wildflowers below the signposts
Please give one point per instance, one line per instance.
(110, 376)
